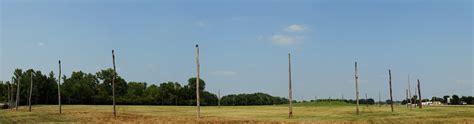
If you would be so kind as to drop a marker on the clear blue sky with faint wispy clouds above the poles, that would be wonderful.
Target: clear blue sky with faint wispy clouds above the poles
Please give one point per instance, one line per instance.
(244, 44)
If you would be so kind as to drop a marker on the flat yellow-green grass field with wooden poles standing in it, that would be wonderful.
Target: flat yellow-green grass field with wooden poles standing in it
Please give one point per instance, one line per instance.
(334, 112)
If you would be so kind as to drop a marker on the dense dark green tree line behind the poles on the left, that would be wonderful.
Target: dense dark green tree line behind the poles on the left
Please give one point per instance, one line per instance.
(89, 88)
